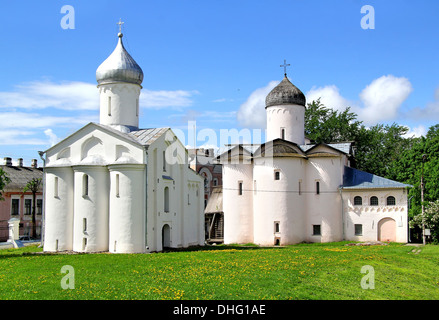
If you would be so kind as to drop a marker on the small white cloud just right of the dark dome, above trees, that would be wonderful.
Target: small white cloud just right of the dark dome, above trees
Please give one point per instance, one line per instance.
(330, 97)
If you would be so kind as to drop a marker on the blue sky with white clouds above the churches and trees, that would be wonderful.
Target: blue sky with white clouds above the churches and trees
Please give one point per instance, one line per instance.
(213, 62)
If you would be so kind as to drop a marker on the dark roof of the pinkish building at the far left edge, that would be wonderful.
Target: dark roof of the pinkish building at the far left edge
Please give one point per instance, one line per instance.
(20, 176)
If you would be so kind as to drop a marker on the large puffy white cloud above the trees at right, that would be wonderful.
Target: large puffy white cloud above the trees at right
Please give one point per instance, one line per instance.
(383, 98)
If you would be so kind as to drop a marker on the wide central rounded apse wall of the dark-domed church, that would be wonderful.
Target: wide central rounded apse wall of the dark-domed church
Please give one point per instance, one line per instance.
(279, 201)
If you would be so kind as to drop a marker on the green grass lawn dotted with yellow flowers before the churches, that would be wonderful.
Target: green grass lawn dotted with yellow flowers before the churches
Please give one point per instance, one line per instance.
(305, 271)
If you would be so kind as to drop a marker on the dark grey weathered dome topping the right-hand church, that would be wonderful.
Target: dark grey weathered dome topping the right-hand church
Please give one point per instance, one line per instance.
(285, 93)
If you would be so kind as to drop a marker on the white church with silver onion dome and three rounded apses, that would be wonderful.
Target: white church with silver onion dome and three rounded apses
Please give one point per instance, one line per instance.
(113, 187)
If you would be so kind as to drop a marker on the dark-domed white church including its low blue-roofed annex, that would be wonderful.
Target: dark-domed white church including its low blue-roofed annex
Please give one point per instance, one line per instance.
(288, 191)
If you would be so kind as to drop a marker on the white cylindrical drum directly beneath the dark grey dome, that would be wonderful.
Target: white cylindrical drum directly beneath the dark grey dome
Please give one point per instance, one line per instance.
(290, 117)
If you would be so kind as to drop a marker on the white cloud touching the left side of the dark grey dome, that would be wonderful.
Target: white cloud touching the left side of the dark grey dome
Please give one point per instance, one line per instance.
(251, 113)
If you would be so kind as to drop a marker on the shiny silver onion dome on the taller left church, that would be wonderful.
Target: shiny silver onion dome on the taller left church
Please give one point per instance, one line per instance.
(119, 67)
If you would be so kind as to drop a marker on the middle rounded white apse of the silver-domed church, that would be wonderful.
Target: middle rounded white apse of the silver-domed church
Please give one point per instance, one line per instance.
(93, 207)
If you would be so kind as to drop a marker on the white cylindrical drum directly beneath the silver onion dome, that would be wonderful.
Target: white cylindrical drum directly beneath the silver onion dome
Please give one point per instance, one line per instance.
(124, 104)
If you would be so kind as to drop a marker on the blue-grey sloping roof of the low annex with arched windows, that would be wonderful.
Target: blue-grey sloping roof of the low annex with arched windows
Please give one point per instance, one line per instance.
(357, 179)
